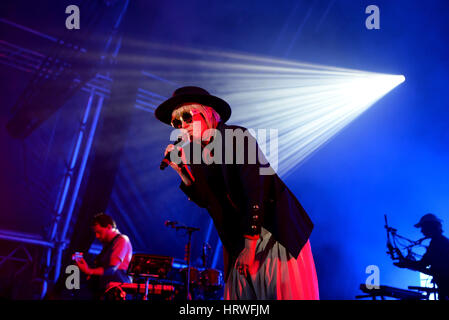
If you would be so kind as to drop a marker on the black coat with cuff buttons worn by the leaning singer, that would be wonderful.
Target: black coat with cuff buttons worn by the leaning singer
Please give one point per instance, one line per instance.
(240, 200)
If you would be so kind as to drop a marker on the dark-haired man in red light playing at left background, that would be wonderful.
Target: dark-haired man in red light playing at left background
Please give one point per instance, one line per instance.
(111, 264)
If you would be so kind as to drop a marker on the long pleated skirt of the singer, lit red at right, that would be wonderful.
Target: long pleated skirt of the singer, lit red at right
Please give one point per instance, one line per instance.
(279, 275)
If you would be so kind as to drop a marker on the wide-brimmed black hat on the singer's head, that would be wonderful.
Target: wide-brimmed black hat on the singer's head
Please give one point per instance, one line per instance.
(194, 95)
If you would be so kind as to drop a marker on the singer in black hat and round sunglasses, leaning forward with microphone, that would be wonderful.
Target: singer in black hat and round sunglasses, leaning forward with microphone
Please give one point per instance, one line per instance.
(264, 229)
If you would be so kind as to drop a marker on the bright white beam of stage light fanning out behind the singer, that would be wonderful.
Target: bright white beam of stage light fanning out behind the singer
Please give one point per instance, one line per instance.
(306, 104)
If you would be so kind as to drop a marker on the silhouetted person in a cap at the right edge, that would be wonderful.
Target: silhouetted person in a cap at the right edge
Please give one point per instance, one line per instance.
(436, 259)
